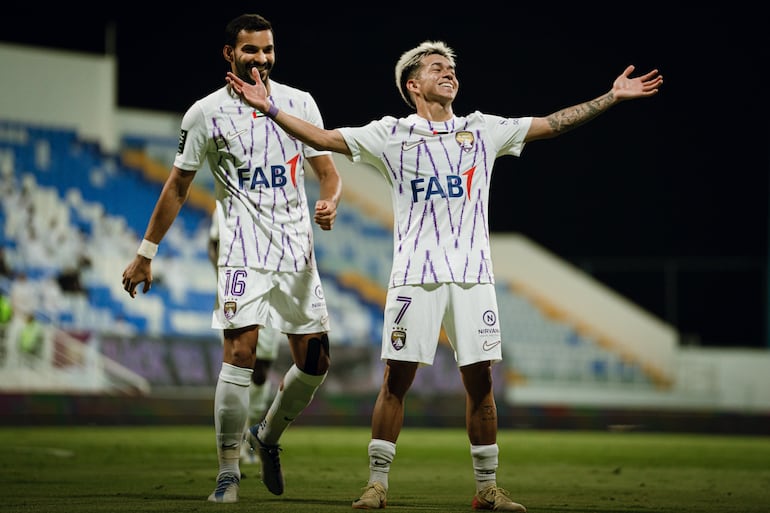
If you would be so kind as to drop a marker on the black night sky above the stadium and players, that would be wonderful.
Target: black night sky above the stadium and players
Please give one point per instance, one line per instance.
(676, 182)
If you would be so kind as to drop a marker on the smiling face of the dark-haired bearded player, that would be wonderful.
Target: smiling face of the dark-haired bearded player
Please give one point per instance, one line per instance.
(252, 50)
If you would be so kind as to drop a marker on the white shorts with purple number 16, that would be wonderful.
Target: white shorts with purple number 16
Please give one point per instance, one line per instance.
(290, 302)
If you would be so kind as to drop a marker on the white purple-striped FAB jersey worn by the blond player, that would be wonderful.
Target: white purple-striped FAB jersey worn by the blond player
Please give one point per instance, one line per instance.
(440, 175)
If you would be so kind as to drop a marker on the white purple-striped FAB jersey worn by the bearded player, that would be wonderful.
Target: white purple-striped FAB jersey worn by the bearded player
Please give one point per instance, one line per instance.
(259, 178)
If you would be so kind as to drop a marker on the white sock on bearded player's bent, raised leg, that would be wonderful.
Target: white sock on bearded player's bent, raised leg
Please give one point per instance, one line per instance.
(295, 393)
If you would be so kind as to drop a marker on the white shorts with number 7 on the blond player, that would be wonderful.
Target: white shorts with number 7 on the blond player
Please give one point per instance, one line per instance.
(414, 315)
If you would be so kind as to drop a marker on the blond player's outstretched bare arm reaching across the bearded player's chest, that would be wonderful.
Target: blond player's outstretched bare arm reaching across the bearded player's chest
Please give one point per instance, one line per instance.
(256, 96)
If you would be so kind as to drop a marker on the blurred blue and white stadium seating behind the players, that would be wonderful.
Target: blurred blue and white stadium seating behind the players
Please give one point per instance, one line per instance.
(71, 208)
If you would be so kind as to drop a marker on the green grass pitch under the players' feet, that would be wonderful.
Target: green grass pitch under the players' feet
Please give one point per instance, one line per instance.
(173, 468)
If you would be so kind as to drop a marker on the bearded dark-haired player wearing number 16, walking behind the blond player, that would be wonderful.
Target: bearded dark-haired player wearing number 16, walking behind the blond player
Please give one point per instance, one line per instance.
(267, 273)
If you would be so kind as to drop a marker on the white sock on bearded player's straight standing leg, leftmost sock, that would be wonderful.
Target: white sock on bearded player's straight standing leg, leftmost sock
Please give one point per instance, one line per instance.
(231, 402)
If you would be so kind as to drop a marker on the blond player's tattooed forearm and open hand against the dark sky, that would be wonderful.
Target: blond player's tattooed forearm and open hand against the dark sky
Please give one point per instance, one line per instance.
(624, 88)
